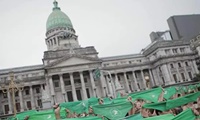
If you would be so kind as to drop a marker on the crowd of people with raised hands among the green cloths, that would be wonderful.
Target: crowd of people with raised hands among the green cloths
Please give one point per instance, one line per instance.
(137, 107)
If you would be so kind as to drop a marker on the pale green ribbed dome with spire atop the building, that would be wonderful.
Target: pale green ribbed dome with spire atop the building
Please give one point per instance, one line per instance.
(58, 19)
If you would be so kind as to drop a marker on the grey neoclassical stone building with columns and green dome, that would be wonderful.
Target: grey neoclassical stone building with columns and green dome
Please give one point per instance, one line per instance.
(68, 70)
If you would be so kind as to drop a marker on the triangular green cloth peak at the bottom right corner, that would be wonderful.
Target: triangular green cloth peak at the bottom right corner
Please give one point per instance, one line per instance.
(185, 115)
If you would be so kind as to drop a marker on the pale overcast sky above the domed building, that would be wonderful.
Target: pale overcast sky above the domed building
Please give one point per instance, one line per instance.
(114, 27)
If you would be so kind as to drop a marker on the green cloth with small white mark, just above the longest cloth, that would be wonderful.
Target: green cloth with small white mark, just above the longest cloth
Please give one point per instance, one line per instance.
(150, 95)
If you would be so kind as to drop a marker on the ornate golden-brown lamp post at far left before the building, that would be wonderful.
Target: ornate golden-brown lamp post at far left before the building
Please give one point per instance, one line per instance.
(12, 87)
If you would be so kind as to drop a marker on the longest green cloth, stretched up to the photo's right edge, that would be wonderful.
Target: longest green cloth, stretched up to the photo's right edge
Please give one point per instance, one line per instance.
(166, 105)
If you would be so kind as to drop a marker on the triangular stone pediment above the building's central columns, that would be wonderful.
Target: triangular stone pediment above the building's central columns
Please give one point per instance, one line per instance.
(73, 59)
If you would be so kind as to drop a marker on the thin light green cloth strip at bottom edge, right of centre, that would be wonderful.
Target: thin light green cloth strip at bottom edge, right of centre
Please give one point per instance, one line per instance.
(161, 117)
